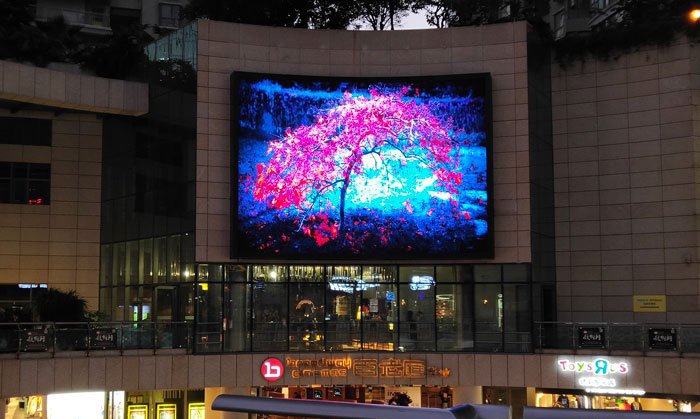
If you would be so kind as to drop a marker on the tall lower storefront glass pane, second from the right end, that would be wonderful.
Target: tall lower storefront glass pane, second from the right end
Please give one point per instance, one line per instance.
(488, 317)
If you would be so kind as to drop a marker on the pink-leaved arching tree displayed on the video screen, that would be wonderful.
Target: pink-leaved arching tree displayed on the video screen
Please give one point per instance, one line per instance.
(314, 162)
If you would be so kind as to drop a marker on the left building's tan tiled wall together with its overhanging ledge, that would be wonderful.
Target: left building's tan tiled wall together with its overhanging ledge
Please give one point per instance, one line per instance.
(58, 244)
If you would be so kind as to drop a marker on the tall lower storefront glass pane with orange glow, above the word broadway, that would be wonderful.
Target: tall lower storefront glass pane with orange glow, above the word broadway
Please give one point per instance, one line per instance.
(306, 314)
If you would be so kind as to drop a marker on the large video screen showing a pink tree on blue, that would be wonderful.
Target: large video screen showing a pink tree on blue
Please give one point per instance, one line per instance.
(360, 168)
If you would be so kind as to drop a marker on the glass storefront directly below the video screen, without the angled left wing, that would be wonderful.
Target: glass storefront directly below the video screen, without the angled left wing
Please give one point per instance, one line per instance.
(361, 308)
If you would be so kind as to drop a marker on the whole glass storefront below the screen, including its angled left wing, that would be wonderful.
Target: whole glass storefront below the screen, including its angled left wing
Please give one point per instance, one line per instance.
(239, 308)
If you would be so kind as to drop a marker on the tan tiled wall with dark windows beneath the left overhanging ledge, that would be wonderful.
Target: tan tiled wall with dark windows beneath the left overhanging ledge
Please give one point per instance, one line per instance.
(57, 244)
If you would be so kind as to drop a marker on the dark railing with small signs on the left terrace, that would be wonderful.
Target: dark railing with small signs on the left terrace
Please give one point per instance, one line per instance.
(100, 336)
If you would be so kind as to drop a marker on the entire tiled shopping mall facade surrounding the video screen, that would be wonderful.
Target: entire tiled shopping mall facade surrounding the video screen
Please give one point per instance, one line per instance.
(586, 296)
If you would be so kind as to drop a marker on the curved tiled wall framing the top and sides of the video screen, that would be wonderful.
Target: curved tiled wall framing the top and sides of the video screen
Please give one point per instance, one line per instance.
(497, 49)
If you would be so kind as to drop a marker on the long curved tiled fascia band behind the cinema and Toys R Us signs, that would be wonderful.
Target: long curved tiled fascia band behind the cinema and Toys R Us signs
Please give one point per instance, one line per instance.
(27, 376)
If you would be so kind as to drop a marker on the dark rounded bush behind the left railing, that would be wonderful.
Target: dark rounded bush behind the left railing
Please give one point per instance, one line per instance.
(60, 306)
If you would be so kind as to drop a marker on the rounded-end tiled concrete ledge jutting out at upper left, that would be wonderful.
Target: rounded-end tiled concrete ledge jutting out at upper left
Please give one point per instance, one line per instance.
(41, 86)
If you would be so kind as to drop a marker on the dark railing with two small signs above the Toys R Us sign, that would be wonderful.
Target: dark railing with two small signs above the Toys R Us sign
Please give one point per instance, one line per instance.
(637, 337)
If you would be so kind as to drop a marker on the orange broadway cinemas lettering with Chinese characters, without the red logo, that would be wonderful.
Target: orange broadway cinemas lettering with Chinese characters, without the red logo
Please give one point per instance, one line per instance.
(362, 367)
